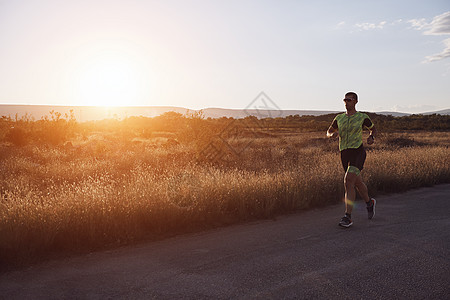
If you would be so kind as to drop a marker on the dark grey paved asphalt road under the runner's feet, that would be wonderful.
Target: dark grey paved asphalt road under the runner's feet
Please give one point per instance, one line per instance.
(402, 253)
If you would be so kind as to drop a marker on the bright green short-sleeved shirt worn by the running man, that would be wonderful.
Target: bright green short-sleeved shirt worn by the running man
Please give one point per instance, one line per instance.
(350, 129)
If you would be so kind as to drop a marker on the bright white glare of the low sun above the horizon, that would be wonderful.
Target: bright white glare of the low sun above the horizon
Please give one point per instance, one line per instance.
(109, 73)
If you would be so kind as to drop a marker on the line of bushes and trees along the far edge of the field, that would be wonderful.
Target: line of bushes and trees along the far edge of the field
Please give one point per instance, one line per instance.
(56, 128)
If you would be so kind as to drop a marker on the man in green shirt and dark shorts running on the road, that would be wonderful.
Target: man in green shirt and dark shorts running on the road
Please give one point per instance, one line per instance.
(349, 126)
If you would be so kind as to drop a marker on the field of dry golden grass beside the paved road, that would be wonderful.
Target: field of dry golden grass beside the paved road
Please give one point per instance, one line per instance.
(101, 190)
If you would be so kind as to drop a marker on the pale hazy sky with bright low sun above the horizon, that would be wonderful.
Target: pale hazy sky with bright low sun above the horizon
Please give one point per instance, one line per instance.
(198, 54)
